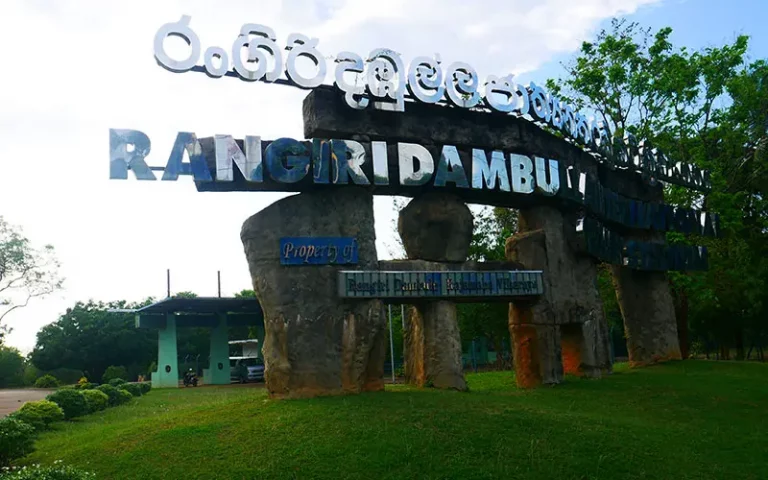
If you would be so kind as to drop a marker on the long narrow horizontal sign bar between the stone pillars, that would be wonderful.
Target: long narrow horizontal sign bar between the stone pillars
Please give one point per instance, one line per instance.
(447, 284)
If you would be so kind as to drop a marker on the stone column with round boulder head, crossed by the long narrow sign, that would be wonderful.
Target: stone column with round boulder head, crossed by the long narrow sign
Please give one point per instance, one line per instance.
(435, 227)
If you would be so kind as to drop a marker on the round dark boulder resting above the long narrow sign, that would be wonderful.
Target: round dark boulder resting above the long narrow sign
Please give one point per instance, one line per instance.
(436, 227)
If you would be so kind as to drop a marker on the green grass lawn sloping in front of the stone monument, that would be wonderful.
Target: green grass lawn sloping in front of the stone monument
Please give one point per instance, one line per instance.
(684, 420)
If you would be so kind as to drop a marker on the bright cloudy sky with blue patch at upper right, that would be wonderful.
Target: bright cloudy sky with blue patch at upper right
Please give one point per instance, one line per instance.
(74, 69)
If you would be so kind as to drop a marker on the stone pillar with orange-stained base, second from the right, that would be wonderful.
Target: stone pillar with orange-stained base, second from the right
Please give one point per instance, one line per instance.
(570, 333)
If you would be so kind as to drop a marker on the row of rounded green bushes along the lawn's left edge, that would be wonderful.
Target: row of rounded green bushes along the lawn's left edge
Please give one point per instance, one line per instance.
(17, 431)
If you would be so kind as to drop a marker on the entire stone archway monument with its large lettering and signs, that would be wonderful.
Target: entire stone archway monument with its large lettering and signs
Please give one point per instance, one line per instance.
(584, 196)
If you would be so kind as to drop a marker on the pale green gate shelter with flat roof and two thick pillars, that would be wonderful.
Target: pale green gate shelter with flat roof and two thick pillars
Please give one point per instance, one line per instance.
(217, 314)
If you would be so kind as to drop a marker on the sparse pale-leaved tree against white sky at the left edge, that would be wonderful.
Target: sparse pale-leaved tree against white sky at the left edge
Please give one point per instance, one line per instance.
(25, 272)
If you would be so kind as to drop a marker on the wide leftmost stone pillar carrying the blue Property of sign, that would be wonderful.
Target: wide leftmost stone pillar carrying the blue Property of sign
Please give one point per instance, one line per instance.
(315, 343)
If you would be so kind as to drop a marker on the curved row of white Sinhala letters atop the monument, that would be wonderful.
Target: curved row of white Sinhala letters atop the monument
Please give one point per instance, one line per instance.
(382, 79)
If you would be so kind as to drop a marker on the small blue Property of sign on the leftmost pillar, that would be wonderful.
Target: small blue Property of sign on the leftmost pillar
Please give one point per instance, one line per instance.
(318, 251)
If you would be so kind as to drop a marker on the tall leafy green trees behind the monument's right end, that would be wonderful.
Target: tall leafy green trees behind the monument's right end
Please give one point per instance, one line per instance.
(707, 108)
